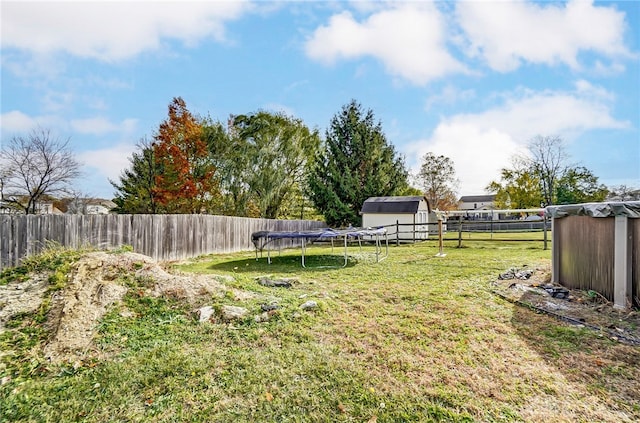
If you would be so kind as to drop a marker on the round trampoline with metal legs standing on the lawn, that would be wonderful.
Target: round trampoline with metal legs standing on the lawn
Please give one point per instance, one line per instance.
(262, 240)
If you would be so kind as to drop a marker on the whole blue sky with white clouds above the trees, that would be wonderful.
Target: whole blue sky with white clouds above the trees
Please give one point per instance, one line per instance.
(472, 80)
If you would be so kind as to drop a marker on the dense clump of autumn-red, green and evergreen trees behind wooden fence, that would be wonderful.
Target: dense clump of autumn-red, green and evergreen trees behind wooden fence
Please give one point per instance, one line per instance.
(262, 164)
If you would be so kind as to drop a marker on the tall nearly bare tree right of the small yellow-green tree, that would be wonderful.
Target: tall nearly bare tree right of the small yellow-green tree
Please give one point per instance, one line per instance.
(548, 163)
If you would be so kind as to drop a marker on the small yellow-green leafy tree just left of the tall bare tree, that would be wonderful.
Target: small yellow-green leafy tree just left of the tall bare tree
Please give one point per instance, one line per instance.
(518, 188)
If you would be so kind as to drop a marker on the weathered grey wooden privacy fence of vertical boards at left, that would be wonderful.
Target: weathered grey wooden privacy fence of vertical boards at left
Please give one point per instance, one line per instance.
(163, 237)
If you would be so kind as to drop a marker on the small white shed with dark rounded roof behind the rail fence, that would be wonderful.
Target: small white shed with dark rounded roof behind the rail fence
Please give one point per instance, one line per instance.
(413, 211)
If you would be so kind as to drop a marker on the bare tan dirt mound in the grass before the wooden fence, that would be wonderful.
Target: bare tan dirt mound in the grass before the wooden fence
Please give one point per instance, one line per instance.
(95, 284)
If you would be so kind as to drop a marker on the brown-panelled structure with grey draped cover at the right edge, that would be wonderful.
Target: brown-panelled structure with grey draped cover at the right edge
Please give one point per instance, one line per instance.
(596, 246)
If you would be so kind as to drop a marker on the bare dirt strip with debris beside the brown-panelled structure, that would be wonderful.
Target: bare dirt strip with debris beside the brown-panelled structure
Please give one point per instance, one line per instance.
(586, 308)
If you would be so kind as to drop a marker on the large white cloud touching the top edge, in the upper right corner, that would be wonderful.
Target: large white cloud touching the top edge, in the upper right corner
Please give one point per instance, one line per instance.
(508, 32)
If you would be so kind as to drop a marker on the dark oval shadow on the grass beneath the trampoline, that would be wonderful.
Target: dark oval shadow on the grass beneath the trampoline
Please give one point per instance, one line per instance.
(286, 264)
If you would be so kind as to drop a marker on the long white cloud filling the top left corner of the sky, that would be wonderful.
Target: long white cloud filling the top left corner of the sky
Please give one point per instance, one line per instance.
(111, 31)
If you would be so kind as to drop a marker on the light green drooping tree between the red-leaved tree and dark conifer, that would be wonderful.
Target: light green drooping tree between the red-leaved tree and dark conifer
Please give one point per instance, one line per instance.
(272, 150)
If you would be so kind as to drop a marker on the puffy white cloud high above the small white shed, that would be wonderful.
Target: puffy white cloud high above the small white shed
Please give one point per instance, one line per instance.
(410, 39)
